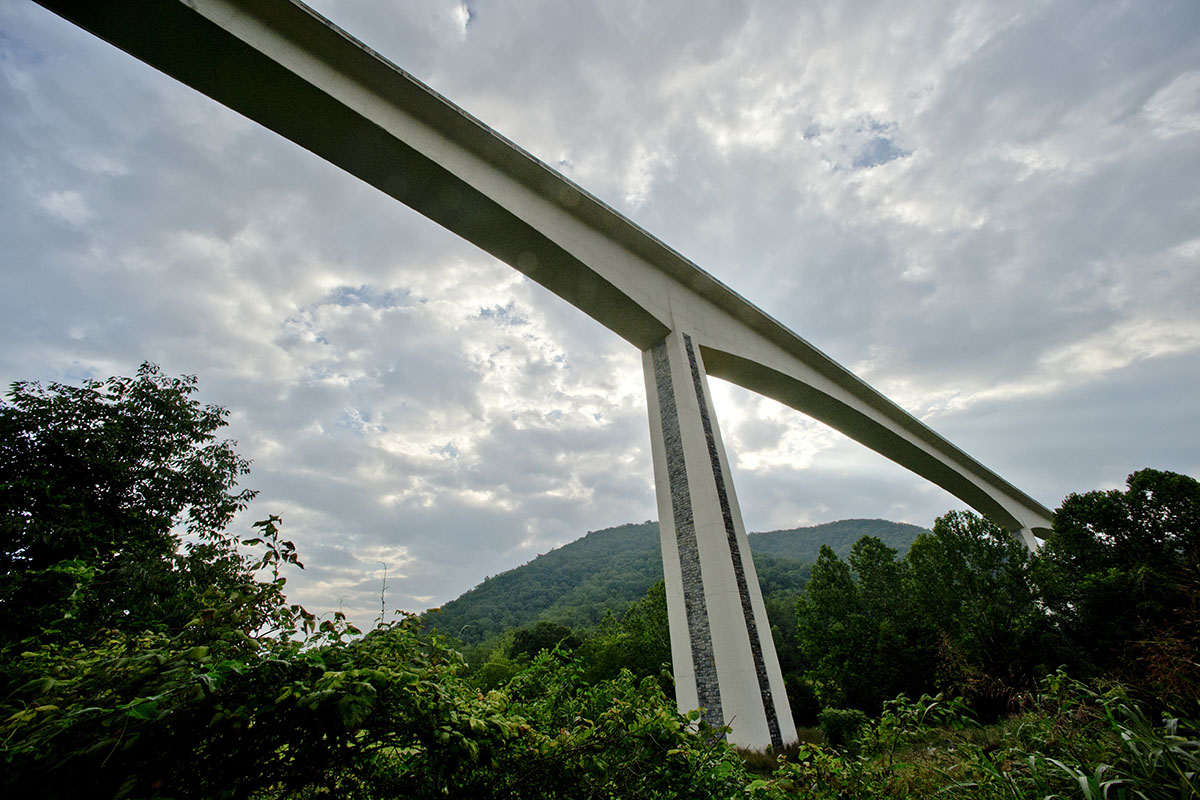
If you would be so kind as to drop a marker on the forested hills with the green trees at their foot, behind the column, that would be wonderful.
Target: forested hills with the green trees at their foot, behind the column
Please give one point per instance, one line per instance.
(607, 587)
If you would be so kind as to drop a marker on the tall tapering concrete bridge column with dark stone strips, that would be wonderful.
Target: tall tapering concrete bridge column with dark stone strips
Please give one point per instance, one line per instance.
(724, 657)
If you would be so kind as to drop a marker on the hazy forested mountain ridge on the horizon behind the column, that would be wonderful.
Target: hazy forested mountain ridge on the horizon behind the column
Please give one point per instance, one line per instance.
(608, 570)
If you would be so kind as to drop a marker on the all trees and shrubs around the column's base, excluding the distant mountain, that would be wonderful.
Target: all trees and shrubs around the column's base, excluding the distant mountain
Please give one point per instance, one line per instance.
(147, 652)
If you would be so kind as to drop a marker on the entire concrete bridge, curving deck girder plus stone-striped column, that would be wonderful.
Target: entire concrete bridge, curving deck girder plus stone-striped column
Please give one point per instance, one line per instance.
(280, 64)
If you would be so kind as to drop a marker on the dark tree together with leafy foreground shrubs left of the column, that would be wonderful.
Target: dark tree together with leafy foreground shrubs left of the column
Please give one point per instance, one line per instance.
(134, 665)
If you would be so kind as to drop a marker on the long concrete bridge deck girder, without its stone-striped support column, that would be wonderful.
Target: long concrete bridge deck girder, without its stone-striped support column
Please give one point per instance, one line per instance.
(285, 67)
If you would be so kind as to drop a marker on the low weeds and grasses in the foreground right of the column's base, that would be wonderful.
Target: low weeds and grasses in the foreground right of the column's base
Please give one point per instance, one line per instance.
(1071, 741)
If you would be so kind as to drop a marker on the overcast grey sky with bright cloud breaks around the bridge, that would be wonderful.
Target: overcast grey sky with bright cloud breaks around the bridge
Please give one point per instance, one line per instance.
(991, 212)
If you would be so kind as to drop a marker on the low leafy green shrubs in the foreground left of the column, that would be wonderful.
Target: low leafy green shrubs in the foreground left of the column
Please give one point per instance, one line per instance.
(387, 715)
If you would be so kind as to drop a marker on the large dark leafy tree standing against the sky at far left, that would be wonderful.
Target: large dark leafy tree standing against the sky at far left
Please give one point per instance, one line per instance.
(97, 484)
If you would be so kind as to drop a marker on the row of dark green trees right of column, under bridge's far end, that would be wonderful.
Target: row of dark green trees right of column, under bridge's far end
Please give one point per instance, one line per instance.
(1114, 593)
